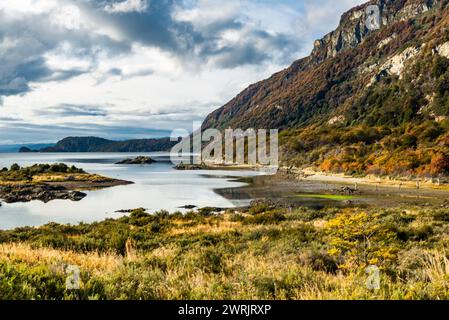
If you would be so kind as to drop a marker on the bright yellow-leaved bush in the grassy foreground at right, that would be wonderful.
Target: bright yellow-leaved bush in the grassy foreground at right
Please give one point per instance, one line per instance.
(360, 240)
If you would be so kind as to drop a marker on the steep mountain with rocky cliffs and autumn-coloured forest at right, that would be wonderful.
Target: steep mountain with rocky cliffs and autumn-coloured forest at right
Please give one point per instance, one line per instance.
(364, 101)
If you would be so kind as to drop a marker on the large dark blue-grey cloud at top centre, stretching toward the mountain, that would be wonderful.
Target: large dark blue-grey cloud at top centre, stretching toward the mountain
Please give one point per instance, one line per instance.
(157, 27)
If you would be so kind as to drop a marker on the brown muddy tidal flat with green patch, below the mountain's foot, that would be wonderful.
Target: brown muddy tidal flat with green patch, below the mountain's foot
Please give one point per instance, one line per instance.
(312, 192)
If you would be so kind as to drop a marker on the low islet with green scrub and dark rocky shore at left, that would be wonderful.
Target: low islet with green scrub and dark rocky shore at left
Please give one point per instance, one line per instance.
(46, 182)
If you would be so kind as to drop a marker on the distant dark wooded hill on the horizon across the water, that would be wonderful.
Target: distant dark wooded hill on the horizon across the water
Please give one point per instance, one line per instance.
(94, 144)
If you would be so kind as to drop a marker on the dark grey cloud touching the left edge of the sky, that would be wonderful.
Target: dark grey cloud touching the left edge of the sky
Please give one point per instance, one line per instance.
(24, 42)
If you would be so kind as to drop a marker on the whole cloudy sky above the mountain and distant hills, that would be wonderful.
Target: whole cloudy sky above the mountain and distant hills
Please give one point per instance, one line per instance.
(139, 68)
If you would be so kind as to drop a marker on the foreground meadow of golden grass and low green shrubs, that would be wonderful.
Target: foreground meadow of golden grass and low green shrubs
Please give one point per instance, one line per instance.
(264, 253)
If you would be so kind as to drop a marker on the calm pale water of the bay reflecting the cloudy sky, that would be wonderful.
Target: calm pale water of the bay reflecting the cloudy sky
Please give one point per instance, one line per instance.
(157, 186)
